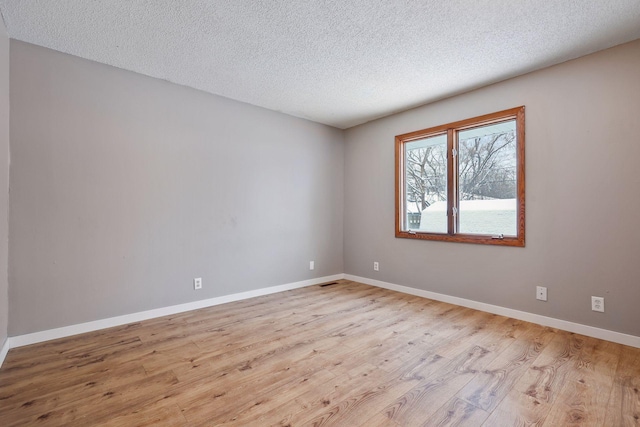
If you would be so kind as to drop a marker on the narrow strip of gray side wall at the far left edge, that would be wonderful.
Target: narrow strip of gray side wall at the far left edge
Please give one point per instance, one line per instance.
(4, 178)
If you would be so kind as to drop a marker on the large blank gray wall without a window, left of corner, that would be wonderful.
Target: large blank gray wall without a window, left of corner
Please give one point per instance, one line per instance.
(125, 187)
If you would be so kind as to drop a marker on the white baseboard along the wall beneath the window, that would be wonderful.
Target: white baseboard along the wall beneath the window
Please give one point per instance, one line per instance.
(578, 328)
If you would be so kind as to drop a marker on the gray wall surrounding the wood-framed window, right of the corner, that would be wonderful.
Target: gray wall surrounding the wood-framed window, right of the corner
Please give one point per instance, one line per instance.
(583, 204)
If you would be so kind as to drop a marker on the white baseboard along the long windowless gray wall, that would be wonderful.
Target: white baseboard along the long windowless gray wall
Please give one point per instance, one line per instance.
(66, 331)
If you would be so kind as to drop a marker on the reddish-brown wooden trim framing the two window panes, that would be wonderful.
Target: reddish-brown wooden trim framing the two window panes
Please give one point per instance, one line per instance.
(451, 130)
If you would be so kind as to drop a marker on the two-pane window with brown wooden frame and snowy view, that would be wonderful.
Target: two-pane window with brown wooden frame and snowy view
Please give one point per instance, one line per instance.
(464, 181)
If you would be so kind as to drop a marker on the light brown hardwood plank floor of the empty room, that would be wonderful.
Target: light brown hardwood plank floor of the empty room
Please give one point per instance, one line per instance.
(341, 355)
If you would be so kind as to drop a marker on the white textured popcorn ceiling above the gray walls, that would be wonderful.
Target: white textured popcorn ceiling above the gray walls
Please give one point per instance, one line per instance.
(339, 62)
